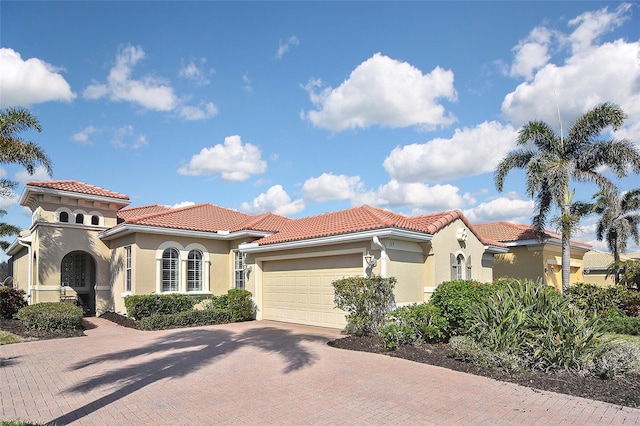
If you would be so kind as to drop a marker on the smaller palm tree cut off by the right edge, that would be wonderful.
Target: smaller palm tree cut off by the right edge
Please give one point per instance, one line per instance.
(619, 220)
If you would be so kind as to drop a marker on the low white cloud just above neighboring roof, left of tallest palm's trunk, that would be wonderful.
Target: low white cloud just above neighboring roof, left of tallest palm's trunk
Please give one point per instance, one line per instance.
(502, 209)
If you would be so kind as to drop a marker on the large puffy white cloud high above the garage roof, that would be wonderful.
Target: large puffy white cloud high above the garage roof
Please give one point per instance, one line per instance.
(386, 92)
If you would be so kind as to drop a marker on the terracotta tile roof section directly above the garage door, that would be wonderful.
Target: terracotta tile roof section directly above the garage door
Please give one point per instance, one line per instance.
(358, 219)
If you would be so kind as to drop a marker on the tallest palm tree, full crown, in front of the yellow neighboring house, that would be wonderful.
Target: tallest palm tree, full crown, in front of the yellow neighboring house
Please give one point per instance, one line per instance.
(551, 161)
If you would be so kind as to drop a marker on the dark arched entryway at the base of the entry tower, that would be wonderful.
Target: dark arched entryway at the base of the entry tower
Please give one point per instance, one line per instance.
(78, 271)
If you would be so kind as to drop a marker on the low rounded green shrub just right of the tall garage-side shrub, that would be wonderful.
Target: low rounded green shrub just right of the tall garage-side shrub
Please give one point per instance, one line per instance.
(413, 324)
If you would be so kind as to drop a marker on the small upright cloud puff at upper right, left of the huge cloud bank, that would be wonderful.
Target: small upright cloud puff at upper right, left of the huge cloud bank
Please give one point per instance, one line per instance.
(532, 53)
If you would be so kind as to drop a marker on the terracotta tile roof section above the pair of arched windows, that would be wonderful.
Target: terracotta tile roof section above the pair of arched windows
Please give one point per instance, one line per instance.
(209, 218)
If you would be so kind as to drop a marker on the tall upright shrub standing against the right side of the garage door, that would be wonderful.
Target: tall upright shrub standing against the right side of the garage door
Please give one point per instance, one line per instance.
(366, 300)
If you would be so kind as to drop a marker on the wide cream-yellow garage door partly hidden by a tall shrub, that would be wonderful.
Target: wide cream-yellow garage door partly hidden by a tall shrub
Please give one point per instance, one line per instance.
(300, 290)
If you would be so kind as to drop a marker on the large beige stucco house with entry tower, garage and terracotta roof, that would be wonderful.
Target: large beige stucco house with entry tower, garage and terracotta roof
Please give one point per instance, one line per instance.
(85, 239)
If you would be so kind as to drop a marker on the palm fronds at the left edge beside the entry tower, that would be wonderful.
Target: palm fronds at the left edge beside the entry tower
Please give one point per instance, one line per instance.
(15, 150)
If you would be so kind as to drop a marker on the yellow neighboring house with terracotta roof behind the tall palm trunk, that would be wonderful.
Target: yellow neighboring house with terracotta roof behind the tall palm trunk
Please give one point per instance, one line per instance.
(530, 257)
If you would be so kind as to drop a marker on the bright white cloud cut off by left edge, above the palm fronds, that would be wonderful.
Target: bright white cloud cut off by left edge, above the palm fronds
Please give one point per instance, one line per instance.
(31, 81)
